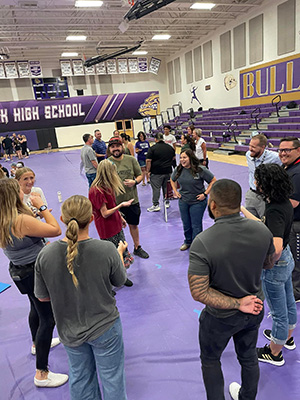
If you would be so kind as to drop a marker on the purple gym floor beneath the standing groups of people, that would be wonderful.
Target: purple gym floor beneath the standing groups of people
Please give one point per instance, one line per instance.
(159, 317)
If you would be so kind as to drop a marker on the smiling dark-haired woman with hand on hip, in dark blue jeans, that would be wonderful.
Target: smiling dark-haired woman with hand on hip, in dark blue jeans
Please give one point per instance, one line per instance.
(191, 175)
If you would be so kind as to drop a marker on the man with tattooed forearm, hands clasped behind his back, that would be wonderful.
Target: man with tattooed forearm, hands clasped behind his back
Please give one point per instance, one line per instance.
(226, 261)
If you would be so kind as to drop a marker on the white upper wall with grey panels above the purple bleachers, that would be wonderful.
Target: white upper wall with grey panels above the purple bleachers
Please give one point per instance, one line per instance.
(218, 96)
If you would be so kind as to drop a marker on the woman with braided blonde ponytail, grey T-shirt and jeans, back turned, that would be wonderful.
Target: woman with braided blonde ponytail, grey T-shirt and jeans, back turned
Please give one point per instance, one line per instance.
(77, 274)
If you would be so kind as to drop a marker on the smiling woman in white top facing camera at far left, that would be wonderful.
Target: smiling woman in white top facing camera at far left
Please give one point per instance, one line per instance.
(26, 178)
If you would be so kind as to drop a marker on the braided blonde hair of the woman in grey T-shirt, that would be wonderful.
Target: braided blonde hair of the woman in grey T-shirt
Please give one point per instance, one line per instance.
(76, 213)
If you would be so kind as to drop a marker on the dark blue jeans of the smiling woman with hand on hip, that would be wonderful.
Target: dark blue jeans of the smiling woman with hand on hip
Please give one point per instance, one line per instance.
(191, 216)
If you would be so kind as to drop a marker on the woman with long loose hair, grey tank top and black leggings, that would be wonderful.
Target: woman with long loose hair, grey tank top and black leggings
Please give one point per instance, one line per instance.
(21, 237)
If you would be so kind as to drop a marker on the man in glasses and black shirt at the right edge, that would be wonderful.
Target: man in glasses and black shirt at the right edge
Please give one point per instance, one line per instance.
(289, 153)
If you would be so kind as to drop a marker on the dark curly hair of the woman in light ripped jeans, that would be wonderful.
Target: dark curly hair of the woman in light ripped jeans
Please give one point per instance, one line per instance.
(273, 183)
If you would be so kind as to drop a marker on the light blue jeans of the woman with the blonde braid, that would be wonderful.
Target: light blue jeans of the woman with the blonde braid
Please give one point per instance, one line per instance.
(106, 353)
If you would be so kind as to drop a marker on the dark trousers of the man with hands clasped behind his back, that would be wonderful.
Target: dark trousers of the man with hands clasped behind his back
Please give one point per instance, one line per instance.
(214, 335)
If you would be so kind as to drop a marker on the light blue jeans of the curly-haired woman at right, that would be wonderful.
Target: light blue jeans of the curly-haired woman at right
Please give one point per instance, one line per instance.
(278, 289)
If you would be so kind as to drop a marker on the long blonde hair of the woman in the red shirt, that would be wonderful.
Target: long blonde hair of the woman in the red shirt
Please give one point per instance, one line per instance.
(107, 178)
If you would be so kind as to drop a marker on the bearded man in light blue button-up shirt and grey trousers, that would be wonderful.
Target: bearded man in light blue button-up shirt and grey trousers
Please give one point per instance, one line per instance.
(256, 155)
